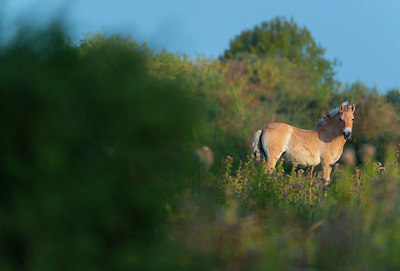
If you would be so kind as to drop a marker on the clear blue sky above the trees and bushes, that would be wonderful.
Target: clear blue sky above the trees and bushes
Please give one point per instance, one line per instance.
(364, 35)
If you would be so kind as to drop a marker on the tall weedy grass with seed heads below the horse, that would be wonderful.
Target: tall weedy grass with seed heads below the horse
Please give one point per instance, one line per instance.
(291, 221)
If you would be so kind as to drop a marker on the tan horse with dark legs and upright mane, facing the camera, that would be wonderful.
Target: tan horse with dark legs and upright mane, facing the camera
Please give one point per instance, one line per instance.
(322, 145)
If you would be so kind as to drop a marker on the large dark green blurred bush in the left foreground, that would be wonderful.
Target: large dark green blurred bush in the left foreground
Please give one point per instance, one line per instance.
(92, 149)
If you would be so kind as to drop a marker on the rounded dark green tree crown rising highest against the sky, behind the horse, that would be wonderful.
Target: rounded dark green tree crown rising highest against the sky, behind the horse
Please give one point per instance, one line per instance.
(280, 38)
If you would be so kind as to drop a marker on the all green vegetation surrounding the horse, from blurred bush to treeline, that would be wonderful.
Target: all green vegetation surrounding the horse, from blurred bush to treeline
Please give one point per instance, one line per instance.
(98, 172)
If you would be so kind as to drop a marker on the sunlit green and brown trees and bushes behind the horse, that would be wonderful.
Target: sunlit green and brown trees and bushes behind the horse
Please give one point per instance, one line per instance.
(276, 72)
